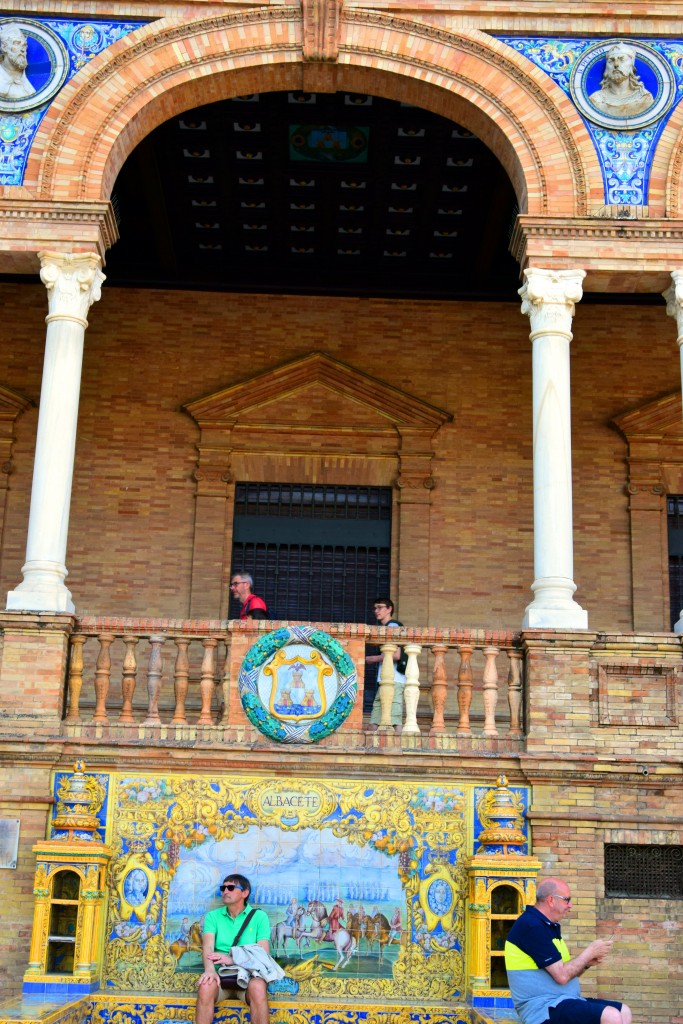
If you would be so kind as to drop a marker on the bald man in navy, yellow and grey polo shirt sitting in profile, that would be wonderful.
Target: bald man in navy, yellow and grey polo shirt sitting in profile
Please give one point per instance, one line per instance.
(543, 976)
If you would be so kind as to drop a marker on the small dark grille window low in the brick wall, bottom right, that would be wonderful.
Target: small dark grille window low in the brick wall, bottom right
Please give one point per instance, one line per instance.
(644, 872)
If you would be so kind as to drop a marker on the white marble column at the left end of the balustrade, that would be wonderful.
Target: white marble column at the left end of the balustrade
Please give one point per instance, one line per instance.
(73, 284)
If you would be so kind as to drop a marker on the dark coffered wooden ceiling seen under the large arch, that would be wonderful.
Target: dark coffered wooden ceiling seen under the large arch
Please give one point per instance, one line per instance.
(324, 194)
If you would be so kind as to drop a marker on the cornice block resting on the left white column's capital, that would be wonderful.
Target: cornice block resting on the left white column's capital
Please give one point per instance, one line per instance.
(28, 226)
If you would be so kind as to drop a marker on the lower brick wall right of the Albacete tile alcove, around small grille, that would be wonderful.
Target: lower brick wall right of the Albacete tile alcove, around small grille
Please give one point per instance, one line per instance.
(571, 825)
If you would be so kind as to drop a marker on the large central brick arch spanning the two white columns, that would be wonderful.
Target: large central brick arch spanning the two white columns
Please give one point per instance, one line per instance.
(163, 70)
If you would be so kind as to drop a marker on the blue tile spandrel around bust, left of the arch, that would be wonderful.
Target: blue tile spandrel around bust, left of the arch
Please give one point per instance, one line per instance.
(58, 50)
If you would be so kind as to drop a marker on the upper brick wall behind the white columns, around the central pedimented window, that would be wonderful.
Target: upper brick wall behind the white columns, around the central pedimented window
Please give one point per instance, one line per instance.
(148, 354)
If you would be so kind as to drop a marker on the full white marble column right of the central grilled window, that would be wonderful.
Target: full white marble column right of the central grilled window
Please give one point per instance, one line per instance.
(548, 300)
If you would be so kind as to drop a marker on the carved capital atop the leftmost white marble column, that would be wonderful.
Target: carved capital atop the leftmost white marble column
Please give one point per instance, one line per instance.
(73, 282)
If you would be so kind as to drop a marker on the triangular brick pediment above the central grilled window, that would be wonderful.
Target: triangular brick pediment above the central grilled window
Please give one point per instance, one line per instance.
(306, 391)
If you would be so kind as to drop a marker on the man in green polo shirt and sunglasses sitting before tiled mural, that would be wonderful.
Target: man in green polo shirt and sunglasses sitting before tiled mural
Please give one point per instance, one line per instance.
(221, 929)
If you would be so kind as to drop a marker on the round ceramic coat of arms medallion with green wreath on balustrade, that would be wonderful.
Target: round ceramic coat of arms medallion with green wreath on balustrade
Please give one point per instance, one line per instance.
(297, 685)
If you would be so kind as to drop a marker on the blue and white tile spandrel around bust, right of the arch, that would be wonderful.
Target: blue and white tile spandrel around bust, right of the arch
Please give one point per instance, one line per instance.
(626, 155)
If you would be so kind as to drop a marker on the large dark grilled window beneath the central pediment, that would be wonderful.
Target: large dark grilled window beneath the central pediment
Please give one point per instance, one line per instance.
(317, 552)
